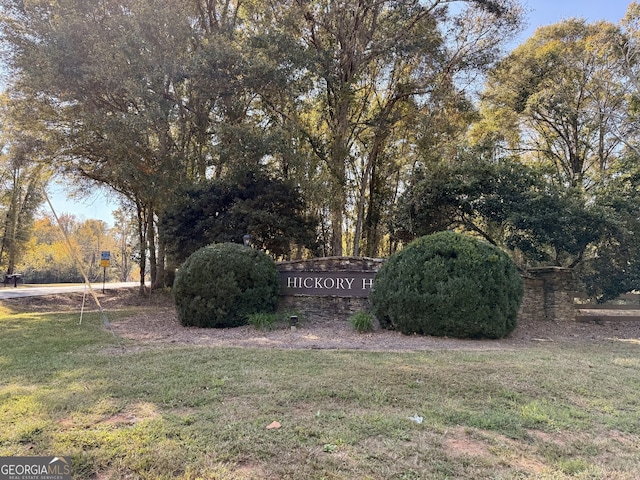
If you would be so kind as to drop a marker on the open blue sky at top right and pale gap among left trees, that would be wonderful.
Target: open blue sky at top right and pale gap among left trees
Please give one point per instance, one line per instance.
(541, 12)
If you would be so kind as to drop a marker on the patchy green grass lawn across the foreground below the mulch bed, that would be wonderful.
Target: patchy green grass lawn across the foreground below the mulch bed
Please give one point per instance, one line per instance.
(550, 411)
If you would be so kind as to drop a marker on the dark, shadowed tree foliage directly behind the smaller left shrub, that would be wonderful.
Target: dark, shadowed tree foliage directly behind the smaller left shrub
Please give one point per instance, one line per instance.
(272, 211)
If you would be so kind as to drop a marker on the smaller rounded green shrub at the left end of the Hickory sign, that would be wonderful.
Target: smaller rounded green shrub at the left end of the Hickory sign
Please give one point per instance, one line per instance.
(221, 285)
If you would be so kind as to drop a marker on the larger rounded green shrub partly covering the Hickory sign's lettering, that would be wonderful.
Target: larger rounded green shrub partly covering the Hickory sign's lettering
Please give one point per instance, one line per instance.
(448, 284)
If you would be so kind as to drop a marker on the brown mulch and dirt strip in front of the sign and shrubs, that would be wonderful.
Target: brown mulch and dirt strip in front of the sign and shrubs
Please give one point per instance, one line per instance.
(156, 323)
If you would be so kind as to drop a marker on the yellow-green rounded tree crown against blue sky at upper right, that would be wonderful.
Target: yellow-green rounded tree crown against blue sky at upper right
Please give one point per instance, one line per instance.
(558, 99)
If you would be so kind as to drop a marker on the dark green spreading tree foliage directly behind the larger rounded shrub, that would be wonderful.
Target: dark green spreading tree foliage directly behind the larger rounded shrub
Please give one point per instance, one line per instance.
(515, 206)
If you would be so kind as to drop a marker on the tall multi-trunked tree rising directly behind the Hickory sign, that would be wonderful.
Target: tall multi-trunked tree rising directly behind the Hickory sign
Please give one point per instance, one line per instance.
(374, 65)
